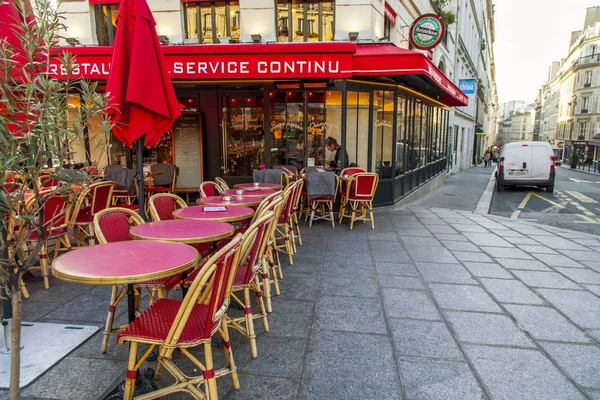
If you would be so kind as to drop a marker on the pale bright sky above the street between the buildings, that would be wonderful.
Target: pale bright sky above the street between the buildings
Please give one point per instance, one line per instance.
(530, 34)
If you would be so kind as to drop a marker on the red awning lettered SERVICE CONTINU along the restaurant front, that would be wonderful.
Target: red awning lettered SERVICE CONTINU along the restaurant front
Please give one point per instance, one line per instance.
(340, 60)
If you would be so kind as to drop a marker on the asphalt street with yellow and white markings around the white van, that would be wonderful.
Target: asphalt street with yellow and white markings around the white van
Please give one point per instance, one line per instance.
(575, 203)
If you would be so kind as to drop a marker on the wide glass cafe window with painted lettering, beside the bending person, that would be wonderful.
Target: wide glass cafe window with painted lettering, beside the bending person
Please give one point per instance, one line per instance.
(301, 121)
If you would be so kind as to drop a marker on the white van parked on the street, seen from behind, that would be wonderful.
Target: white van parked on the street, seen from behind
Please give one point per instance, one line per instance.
(526, 164)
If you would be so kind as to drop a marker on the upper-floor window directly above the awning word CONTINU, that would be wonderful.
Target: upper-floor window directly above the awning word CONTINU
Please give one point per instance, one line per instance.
(305, 20)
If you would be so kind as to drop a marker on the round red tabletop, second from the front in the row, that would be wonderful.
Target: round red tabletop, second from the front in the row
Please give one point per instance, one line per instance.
(187, 231)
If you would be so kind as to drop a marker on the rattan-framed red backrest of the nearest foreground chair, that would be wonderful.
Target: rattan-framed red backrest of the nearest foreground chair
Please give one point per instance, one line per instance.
(211, 288)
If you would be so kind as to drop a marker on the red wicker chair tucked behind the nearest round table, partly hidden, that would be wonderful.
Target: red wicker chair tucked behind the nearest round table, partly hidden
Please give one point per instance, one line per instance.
(113, 225)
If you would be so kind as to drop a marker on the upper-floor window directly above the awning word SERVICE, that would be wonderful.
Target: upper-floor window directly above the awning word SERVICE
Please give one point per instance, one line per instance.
(213, 22)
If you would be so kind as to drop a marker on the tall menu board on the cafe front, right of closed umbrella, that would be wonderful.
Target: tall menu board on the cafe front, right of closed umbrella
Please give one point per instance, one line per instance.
(187, 138)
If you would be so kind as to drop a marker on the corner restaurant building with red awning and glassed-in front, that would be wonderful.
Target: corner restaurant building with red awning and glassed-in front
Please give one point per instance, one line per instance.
(267, 81)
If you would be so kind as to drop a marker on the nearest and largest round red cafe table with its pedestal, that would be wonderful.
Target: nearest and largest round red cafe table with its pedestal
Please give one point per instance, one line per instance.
(125, 263)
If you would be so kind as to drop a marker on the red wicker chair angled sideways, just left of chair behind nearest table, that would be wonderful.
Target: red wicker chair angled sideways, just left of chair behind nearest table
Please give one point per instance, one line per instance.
(92, 199)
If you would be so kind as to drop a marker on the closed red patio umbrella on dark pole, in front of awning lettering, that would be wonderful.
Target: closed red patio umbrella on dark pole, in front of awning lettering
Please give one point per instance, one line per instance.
(141, 95)
